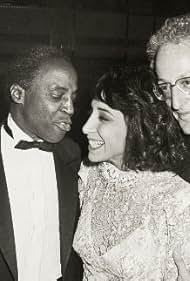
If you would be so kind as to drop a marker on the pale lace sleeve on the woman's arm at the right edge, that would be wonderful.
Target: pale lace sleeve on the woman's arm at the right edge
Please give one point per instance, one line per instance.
(178, 216)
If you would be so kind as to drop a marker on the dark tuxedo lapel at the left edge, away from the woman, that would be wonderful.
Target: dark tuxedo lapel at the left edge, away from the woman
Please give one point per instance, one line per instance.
(7, 244)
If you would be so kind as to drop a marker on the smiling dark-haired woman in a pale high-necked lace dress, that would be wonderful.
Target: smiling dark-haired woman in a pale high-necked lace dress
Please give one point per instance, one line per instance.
(134, 208)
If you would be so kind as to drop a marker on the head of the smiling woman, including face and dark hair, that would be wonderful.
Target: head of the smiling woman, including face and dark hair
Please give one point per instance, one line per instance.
(130, 127)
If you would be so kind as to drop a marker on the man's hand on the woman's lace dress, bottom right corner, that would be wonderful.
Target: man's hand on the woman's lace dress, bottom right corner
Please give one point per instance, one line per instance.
(183, 273)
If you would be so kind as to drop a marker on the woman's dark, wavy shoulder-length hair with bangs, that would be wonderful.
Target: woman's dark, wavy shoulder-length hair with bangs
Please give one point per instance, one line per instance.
(154, 139)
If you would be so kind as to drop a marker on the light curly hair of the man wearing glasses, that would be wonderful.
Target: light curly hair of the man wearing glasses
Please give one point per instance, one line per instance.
(174, 30)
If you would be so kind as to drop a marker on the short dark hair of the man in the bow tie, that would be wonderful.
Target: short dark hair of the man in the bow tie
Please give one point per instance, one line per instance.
(26, 65)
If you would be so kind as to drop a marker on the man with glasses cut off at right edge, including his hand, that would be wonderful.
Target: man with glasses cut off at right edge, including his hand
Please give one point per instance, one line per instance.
(169, 54)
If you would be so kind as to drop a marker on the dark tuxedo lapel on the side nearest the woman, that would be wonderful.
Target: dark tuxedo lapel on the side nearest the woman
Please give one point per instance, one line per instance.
(68, 198)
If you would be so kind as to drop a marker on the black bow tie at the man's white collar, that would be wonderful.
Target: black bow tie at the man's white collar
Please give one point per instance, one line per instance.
(45, 146)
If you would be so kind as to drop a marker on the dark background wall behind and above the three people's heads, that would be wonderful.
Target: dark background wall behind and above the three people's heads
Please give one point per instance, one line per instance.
(96, 33)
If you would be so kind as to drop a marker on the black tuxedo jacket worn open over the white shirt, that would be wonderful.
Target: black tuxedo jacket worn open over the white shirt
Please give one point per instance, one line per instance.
(67, 161)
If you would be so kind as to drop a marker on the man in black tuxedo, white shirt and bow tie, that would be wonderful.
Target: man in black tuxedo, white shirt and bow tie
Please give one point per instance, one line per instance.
(38, 170)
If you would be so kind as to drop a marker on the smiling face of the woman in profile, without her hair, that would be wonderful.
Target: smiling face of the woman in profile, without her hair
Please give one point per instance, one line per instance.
(102, 129)
